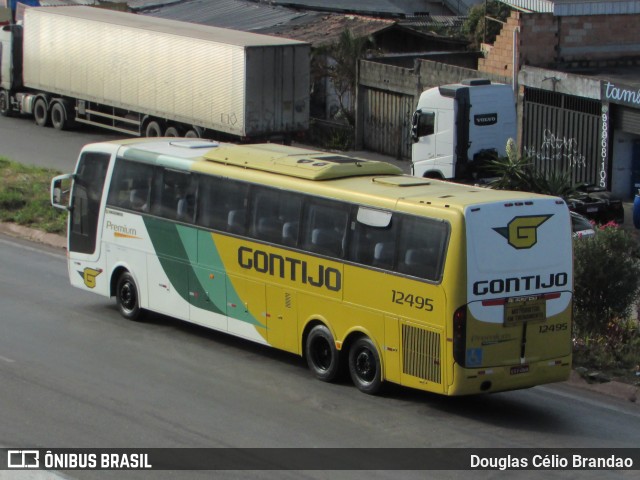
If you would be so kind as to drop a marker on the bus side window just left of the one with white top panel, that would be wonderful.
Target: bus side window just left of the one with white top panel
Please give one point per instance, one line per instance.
(325, 229)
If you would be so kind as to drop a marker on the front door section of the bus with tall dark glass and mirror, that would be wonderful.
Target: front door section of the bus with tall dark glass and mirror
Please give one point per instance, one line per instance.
(85, 212)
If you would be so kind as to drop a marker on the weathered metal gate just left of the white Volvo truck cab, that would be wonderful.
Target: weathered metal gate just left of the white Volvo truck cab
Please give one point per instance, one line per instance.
(387, 122)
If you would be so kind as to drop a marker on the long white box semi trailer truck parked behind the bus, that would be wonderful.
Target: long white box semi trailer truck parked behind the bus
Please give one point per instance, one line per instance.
(148, 76)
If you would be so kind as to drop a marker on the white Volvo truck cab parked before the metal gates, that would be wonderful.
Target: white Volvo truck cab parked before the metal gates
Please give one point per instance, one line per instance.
(455, 127)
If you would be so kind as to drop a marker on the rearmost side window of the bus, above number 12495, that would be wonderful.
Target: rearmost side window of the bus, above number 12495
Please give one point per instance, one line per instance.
(422, 247)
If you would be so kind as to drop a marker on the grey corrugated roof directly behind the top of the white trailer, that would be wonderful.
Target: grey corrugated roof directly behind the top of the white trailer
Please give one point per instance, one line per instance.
(235, 14)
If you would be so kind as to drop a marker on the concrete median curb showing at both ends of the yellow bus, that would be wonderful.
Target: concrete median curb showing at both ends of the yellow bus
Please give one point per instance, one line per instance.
(619, 390)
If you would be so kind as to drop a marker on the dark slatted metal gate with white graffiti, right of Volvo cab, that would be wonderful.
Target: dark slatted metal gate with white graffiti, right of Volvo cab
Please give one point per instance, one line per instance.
(560, 133)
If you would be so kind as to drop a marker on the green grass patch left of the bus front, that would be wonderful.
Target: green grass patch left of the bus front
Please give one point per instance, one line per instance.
(24, 197)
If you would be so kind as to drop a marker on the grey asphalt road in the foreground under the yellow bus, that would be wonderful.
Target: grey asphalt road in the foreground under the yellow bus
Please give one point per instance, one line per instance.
(75, 374)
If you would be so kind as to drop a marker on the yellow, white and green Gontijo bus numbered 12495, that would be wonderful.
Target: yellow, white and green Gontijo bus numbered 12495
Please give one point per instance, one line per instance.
(447, 288)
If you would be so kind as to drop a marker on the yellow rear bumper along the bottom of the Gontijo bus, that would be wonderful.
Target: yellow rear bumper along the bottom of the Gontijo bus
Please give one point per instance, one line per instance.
(472, 381)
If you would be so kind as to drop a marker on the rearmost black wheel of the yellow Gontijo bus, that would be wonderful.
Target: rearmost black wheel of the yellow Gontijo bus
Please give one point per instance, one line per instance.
(364, 366)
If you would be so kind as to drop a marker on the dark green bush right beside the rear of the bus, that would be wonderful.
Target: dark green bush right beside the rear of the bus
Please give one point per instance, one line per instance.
(606, 281)
